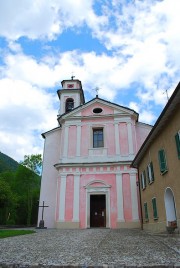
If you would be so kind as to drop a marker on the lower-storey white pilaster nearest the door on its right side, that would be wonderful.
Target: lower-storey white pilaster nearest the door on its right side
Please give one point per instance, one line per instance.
(120, 210)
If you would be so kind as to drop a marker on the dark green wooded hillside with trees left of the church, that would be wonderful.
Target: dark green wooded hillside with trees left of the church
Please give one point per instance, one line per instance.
(19, 190)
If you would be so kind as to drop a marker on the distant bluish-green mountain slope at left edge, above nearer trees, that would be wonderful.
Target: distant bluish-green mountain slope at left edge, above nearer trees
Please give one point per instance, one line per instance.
(7, 163)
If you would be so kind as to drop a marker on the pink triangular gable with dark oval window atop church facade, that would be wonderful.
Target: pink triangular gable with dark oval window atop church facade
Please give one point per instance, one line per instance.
(108, 108)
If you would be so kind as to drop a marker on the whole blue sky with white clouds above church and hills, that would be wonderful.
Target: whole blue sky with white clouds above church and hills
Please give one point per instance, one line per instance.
(130, 49)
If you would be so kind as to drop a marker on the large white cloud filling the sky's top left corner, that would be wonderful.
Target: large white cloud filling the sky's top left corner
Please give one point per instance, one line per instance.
(44, 19)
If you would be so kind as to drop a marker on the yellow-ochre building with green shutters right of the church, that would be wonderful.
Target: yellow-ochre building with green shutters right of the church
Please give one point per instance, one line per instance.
(158, 163)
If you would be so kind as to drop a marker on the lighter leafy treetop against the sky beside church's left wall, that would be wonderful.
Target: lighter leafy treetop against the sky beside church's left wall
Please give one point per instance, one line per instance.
(33, 162)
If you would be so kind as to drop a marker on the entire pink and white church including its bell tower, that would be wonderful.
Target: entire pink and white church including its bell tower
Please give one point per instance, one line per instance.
(87, 178)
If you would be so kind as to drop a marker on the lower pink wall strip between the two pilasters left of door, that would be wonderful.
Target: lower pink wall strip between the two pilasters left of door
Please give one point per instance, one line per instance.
(69, 198)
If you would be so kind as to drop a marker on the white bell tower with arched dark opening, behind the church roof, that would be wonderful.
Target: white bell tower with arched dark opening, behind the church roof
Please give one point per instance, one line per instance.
(71, 95)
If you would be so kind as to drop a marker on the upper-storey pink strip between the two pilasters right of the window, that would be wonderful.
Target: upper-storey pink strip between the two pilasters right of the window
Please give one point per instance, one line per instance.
(123, 139)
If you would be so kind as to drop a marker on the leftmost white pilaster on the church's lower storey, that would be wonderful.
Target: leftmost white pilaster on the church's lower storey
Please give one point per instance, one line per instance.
(62, 198)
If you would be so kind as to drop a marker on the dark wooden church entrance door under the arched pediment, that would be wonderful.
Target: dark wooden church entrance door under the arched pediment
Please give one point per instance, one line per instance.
(98, 210)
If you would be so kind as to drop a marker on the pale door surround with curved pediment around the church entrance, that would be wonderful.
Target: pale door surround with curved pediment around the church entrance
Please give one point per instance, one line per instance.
(101, 189)
